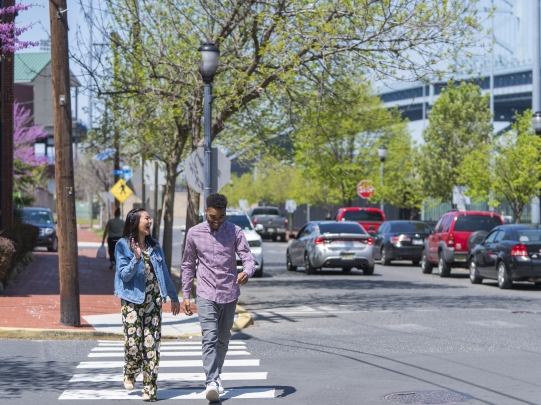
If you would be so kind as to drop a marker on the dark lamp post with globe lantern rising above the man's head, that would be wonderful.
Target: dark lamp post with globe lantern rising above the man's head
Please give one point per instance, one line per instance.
(210, 55)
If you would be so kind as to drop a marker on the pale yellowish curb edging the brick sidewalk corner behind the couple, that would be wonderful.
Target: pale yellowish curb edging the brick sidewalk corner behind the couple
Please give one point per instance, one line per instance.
(244, 319)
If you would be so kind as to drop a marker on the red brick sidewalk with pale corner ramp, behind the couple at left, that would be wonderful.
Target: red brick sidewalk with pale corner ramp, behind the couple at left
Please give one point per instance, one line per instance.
(31, 305)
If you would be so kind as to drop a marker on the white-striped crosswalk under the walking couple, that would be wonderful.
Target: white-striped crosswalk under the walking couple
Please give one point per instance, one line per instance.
(101, 377)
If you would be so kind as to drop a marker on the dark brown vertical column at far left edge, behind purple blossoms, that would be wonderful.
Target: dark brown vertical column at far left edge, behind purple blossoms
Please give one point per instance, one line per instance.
(6, 137)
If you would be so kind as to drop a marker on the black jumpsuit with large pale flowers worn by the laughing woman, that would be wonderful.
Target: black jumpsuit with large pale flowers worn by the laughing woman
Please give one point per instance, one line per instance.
(142, 333)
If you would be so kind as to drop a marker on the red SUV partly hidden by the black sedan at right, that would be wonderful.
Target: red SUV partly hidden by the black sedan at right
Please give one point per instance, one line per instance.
(455, 235)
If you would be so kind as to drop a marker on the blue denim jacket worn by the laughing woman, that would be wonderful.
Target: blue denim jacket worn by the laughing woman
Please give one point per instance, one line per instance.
(130, 279)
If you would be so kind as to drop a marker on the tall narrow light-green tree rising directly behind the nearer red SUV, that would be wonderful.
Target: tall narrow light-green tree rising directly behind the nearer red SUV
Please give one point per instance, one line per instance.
(458, 123)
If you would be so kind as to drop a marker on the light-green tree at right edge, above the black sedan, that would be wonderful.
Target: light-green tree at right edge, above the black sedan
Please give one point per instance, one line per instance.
(508, 166)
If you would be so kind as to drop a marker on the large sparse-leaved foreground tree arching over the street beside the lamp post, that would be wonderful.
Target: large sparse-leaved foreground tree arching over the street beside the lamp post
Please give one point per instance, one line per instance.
(266, 47)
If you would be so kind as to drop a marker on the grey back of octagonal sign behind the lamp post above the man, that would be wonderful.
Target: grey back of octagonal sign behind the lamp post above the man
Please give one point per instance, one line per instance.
(194, 170)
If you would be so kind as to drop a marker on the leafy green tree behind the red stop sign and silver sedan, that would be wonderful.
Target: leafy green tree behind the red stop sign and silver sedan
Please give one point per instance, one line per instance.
(338, 137)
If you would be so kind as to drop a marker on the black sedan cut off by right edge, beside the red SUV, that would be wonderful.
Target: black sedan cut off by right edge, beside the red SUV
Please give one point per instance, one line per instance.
(508, 253)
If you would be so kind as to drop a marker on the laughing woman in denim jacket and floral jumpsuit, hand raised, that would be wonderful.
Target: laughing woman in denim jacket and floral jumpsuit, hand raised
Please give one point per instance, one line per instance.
(142, 282)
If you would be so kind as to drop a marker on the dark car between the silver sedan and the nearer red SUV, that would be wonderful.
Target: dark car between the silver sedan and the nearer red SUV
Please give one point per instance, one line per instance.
(400, 240)
